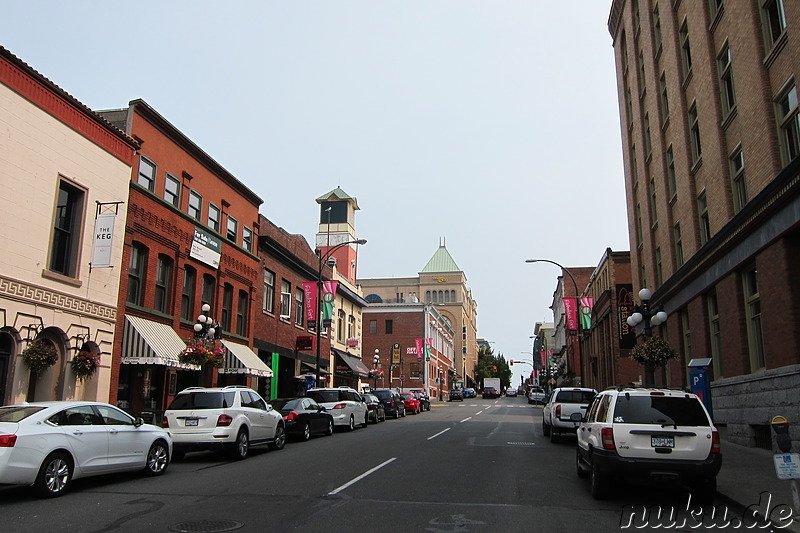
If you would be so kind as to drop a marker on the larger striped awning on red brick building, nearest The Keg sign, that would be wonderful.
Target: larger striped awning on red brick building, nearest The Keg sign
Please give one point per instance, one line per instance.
(147, 342)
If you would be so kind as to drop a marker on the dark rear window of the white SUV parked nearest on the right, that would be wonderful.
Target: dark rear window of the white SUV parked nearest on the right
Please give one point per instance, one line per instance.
(660, 410)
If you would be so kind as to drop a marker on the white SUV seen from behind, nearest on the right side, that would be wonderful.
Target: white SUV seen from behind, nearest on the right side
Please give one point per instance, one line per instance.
(664, 435)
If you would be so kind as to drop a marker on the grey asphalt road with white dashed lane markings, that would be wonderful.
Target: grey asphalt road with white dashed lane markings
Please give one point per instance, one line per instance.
(476, 466)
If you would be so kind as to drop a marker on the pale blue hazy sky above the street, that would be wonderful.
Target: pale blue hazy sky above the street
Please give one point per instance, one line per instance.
(492, 125)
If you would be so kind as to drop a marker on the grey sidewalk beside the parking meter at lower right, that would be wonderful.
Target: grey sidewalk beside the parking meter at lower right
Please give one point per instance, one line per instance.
(747, 473)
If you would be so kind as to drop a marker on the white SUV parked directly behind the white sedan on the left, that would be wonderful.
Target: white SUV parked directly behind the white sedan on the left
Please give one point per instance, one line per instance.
(232, 418)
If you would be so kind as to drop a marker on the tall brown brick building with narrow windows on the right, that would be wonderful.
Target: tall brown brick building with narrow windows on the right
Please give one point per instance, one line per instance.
(710, 134)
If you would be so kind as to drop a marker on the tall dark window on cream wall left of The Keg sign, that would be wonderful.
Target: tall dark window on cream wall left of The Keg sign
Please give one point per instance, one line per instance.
(68, 219)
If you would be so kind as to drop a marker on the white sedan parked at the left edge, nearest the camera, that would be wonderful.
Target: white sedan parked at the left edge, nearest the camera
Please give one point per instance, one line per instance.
(48, 444)
